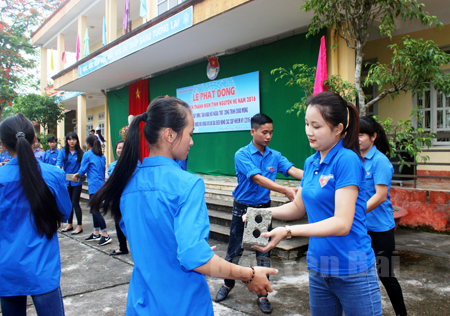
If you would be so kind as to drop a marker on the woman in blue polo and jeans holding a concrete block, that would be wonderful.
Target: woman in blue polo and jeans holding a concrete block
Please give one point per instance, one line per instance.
(341, 262)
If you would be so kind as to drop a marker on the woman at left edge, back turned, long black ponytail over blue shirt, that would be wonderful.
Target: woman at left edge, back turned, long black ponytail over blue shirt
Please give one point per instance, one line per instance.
(34, 202)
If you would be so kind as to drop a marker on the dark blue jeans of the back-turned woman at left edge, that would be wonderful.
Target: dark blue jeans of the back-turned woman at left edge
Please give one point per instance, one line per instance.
(47, 304)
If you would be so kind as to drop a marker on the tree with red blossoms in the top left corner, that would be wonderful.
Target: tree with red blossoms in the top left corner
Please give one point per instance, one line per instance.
(17, 55)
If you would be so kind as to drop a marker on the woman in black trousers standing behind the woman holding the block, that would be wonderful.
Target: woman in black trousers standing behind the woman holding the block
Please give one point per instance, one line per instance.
(380, 220)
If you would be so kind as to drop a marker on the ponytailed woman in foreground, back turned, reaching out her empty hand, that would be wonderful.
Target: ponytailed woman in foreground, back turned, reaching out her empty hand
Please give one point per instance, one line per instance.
(168, 204)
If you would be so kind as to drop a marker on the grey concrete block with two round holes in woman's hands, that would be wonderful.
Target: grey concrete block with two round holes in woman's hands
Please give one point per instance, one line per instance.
(257, 222)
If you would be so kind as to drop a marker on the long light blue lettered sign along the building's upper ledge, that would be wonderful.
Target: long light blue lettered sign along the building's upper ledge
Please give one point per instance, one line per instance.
(160, 31)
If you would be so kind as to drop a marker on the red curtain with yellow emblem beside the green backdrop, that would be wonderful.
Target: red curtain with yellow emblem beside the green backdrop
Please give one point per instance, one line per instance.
(138, 101)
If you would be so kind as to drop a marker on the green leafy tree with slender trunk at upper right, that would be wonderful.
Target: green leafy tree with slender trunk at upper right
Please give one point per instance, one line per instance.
(354, 21)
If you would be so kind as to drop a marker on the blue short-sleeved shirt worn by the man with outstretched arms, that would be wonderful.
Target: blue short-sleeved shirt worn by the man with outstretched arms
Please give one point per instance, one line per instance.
(249, 162)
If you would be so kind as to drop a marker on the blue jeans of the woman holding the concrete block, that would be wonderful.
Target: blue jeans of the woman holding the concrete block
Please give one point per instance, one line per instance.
(355, 294)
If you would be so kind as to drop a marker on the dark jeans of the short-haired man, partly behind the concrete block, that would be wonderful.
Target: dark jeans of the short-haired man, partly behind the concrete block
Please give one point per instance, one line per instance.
(234, 252)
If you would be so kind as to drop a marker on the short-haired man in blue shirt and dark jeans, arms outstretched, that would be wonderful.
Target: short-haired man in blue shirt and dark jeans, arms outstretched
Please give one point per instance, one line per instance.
(256, 169)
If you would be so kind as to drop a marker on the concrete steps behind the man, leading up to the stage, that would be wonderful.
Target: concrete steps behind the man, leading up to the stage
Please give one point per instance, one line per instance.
(219, 201)
